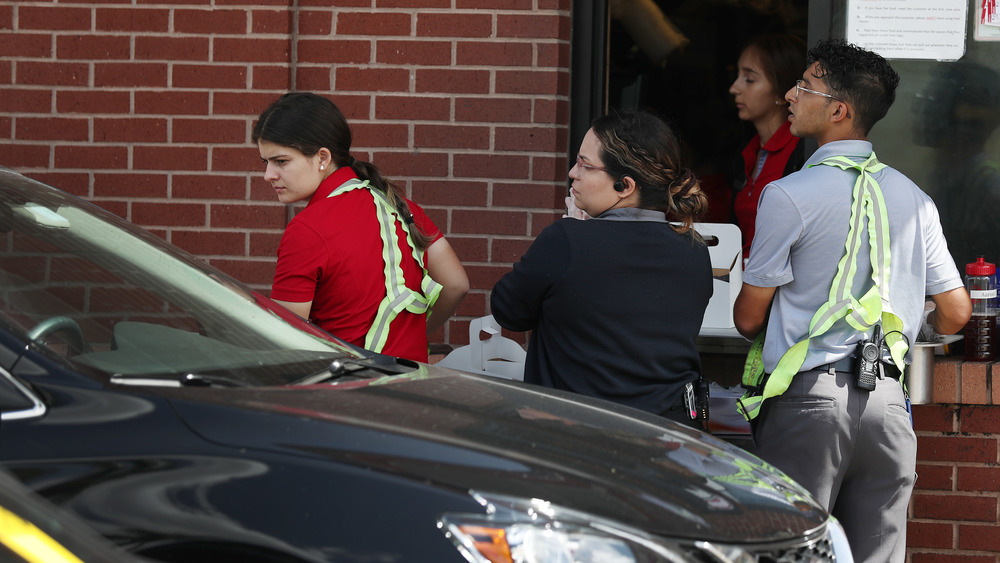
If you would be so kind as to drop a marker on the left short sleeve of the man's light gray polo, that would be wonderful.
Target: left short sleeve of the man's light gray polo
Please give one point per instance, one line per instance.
(778, 227)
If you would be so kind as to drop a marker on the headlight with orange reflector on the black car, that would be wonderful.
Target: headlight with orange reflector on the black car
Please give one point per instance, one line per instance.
(515, 530)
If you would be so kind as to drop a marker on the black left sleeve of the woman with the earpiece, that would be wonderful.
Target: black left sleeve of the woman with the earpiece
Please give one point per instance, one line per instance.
(517, 299)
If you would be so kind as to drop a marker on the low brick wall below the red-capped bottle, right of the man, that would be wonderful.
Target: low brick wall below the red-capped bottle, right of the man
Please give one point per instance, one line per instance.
(955, 508)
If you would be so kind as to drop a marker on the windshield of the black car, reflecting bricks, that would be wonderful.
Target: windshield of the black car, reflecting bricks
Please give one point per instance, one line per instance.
(115, 301)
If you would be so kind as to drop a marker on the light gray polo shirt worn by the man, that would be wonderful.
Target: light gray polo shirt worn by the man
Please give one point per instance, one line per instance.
(802, 225)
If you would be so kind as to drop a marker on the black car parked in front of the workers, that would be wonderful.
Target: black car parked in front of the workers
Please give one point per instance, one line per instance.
(187, 418)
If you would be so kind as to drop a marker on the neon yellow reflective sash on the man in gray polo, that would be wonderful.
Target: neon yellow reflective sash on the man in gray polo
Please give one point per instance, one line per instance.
(861, 314)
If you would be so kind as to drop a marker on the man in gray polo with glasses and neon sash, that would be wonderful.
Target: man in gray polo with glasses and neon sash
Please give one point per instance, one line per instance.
(815, 287)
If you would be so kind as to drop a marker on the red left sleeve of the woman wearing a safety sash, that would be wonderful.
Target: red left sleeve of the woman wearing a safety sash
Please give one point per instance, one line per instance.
(301, 258)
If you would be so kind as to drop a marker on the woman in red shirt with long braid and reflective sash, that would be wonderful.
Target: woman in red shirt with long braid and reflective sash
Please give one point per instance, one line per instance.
(360, 261)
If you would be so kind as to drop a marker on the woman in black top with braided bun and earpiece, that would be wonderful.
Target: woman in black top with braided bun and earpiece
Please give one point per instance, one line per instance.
(615, 302)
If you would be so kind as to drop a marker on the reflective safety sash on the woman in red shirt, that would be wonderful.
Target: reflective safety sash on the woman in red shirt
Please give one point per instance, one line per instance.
(398, 297)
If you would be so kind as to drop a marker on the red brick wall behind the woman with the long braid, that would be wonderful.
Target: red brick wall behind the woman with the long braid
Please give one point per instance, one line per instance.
(146, 109)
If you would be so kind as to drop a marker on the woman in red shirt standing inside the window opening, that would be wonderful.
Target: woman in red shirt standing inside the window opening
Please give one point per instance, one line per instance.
(767, 68)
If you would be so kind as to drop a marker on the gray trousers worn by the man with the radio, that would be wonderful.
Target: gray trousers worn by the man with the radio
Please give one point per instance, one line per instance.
(855, 451)
